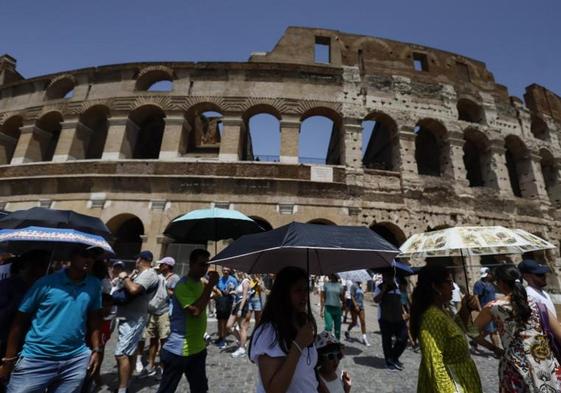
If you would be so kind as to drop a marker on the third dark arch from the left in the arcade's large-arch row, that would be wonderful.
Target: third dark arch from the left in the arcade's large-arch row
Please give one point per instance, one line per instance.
(95, 122)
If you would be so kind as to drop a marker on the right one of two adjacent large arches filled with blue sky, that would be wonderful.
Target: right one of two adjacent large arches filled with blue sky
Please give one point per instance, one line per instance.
(315, 123)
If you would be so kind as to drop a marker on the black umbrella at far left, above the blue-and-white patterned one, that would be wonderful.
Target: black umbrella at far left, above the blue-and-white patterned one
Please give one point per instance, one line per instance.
(52, 218)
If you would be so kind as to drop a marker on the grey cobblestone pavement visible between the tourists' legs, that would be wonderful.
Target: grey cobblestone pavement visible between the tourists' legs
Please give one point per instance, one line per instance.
(366, 366)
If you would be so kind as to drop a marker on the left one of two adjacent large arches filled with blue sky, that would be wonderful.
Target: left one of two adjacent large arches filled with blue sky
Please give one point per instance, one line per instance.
(262, 130)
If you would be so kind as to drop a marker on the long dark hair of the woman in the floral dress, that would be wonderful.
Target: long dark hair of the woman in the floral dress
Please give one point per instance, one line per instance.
(511, 277)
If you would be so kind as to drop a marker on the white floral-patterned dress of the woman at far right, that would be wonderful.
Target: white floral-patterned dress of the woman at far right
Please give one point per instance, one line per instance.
(528, 365)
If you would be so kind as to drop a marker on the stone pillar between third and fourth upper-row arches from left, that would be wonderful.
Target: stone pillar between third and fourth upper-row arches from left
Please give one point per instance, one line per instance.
(121, 136)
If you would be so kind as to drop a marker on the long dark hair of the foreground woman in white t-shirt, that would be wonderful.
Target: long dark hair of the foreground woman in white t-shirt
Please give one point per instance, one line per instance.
(278, 310)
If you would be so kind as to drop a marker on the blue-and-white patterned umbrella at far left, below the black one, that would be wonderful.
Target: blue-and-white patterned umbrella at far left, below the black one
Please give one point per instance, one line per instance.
(22, 239)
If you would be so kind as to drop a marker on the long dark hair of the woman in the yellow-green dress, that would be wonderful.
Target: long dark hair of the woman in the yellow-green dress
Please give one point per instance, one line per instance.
(424, 294)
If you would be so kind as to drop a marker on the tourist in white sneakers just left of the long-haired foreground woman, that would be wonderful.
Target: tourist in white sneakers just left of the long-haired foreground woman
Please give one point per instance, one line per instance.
(238, 316)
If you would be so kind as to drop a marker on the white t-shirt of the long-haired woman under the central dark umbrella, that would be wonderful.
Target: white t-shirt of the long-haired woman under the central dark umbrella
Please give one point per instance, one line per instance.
(263, 342)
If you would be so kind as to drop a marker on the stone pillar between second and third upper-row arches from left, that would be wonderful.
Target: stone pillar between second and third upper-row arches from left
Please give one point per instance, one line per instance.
(73, 141)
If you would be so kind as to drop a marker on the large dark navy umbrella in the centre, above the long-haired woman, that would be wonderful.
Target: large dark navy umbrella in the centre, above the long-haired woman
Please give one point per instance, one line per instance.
(319, 249)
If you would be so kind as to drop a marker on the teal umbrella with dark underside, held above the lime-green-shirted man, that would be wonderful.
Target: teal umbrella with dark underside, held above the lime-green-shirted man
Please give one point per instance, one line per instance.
(200, 226)
